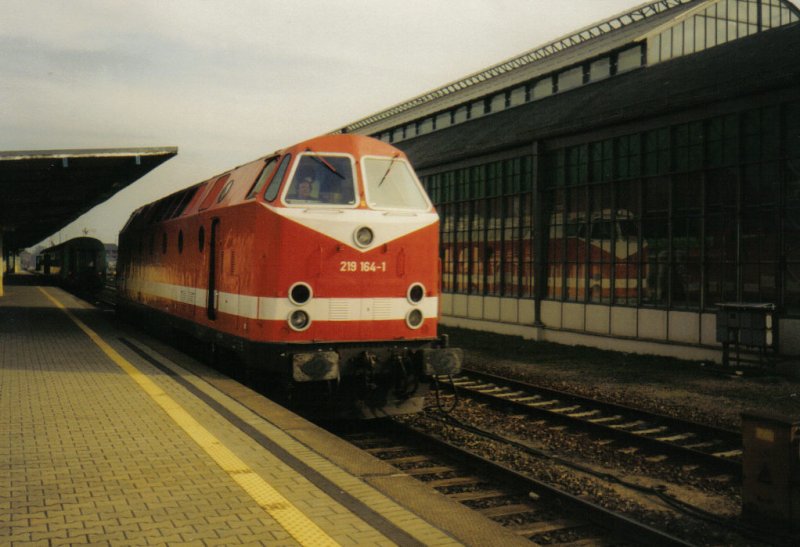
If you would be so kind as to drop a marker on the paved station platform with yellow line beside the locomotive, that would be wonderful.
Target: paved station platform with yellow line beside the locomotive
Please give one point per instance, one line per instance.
(108, 436)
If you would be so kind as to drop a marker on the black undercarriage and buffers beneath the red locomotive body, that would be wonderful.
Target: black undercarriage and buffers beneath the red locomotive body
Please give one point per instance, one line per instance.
(337, 380)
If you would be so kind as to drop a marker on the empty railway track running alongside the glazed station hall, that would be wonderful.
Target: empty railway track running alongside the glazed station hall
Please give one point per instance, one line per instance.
(717, 450)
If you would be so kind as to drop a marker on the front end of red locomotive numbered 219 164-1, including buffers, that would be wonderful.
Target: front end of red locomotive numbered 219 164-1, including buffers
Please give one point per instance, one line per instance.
(360, 305)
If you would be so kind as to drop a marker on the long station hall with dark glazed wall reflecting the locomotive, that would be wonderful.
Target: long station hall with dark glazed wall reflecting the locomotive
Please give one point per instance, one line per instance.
(619, 186)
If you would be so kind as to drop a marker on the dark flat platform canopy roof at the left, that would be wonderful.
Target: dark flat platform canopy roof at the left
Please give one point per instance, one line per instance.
(43, 190)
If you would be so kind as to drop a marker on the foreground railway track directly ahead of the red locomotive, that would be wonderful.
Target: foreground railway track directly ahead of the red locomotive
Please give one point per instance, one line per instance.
(528, 507)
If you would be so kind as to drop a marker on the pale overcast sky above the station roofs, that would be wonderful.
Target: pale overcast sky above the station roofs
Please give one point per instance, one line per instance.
(227, 81)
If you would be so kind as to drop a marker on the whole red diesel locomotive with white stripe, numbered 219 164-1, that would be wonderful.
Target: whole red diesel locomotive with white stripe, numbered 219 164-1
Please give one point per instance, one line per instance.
(316, 265)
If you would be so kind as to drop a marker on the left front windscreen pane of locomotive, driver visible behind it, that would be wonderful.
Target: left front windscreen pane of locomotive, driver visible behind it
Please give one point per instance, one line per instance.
(322, 180)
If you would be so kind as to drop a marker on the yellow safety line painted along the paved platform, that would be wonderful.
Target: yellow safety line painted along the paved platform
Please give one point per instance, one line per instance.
(287, 515)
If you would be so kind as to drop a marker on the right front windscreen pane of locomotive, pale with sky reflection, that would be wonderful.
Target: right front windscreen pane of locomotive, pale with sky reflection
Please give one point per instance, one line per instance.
(391, 184)
